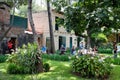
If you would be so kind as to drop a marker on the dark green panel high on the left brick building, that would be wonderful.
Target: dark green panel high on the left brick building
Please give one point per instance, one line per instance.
(20, 22)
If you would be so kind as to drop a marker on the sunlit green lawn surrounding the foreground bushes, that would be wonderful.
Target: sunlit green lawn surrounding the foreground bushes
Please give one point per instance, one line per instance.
(58, 71)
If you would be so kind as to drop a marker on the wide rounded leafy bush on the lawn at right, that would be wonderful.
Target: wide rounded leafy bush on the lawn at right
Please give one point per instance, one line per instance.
(91, 67)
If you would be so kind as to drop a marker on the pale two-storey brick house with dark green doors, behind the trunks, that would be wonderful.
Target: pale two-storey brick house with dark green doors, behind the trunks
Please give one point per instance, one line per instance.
(61, 35)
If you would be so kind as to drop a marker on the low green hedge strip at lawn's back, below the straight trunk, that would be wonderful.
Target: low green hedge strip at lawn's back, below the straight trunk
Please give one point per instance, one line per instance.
(56, 57)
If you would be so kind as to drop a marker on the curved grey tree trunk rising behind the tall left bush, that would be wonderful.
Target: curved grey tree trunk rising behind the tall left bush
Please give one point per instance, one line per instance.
(39, 65)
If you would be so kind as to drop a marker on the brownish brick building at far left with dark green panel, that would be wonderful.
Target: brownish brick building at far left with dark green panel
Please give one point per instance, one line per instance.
(15, 25)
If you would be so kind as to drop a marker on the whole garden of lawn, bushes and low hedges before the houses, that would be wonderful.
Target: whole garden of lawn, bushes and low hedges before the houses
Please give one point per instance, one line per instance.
(22, 66)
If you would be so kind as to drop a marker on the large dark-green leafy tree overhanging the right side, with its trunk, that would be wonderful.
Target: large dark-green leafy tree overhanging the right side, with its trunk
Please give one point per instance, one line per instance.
(90, 16)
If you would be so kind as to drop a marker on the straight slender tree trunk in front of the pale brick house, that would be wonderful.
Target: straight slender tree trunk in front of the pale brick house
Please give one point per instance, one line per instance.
(52, 46)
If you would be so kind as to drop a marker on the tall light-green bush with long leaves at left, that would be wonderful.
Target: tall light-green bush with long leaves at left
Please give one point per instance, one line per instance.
(26, 57)
